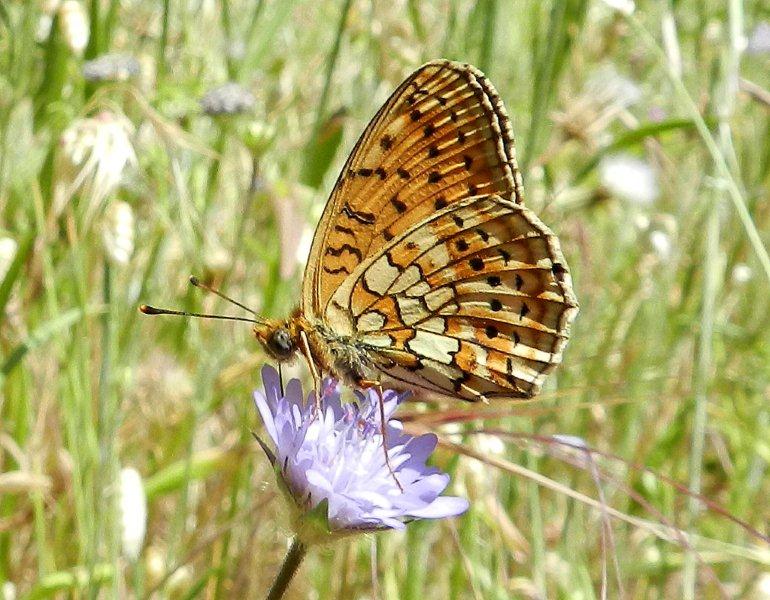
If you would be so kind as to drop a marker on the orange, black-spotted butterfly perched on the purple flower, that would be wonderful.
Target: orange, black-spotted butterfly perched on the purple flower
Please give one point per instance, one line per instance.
(426, 270)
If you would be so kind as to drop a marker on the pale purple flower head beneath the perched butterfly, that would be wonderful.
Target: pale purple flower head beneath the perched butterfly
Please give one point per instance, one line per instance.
(332, 464)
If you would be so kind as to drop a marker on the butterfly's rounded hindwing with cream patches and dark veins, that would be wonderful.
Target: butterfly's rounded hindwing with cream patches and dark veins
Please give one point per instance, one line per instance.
(476, 301)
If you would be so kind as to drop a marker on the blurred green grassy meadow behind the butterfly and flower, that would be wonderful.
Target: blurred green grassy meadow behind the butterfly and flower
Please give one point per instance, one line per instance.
(644, 142)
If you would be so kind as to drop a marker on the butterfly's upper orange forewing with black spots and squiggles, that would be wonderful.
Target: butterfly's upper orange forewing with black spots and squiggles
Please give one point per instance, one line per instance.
(442, 135)
